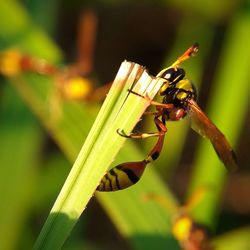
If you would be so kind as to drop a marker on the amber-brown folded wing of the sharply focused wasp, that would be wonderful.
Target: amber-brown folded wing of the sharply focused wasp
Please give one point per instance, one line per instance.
(206, 128)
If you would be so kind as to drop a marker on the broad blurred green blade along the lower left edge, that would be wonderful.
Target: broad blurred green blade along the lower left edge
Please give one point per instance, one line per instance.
(20, 148)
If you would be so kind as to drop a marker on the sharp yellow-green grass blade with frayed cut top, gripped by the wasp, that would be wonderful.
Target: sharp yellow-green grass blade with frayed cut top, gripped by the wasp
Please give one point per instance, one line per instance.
(120, 110)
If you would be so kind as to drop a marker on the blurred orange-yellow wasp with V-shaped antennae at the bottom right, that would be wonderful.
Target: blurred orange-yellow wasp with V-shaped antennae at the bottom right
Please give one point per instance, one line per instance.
(189, 234)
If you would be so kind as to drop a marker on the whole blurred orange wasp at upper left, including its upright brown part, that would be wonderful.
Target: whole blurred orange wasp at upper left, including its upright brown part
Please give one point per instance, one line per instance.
(74, 82)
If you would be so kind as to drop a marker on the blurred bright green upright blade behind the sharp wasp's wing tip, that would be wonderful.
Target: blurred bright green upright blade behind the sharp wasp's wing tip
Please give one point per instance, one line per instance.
(228, 105)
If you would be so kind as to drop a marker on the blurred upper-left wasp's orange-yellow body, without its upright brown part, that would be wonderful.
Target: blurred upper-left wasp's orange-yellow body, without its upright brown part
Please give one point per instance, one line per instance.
(69, 82)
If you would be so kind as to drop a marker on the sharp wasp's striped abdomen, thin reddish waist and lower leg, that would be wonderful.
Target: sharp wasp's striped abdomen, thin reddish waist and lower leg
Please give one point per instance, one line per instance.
(127, 174)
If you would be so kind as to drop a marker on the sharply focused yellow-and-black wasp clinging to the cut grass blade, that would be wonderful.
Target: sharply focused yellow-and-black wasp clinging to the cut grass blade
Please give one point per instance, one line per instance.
(179, 100)
